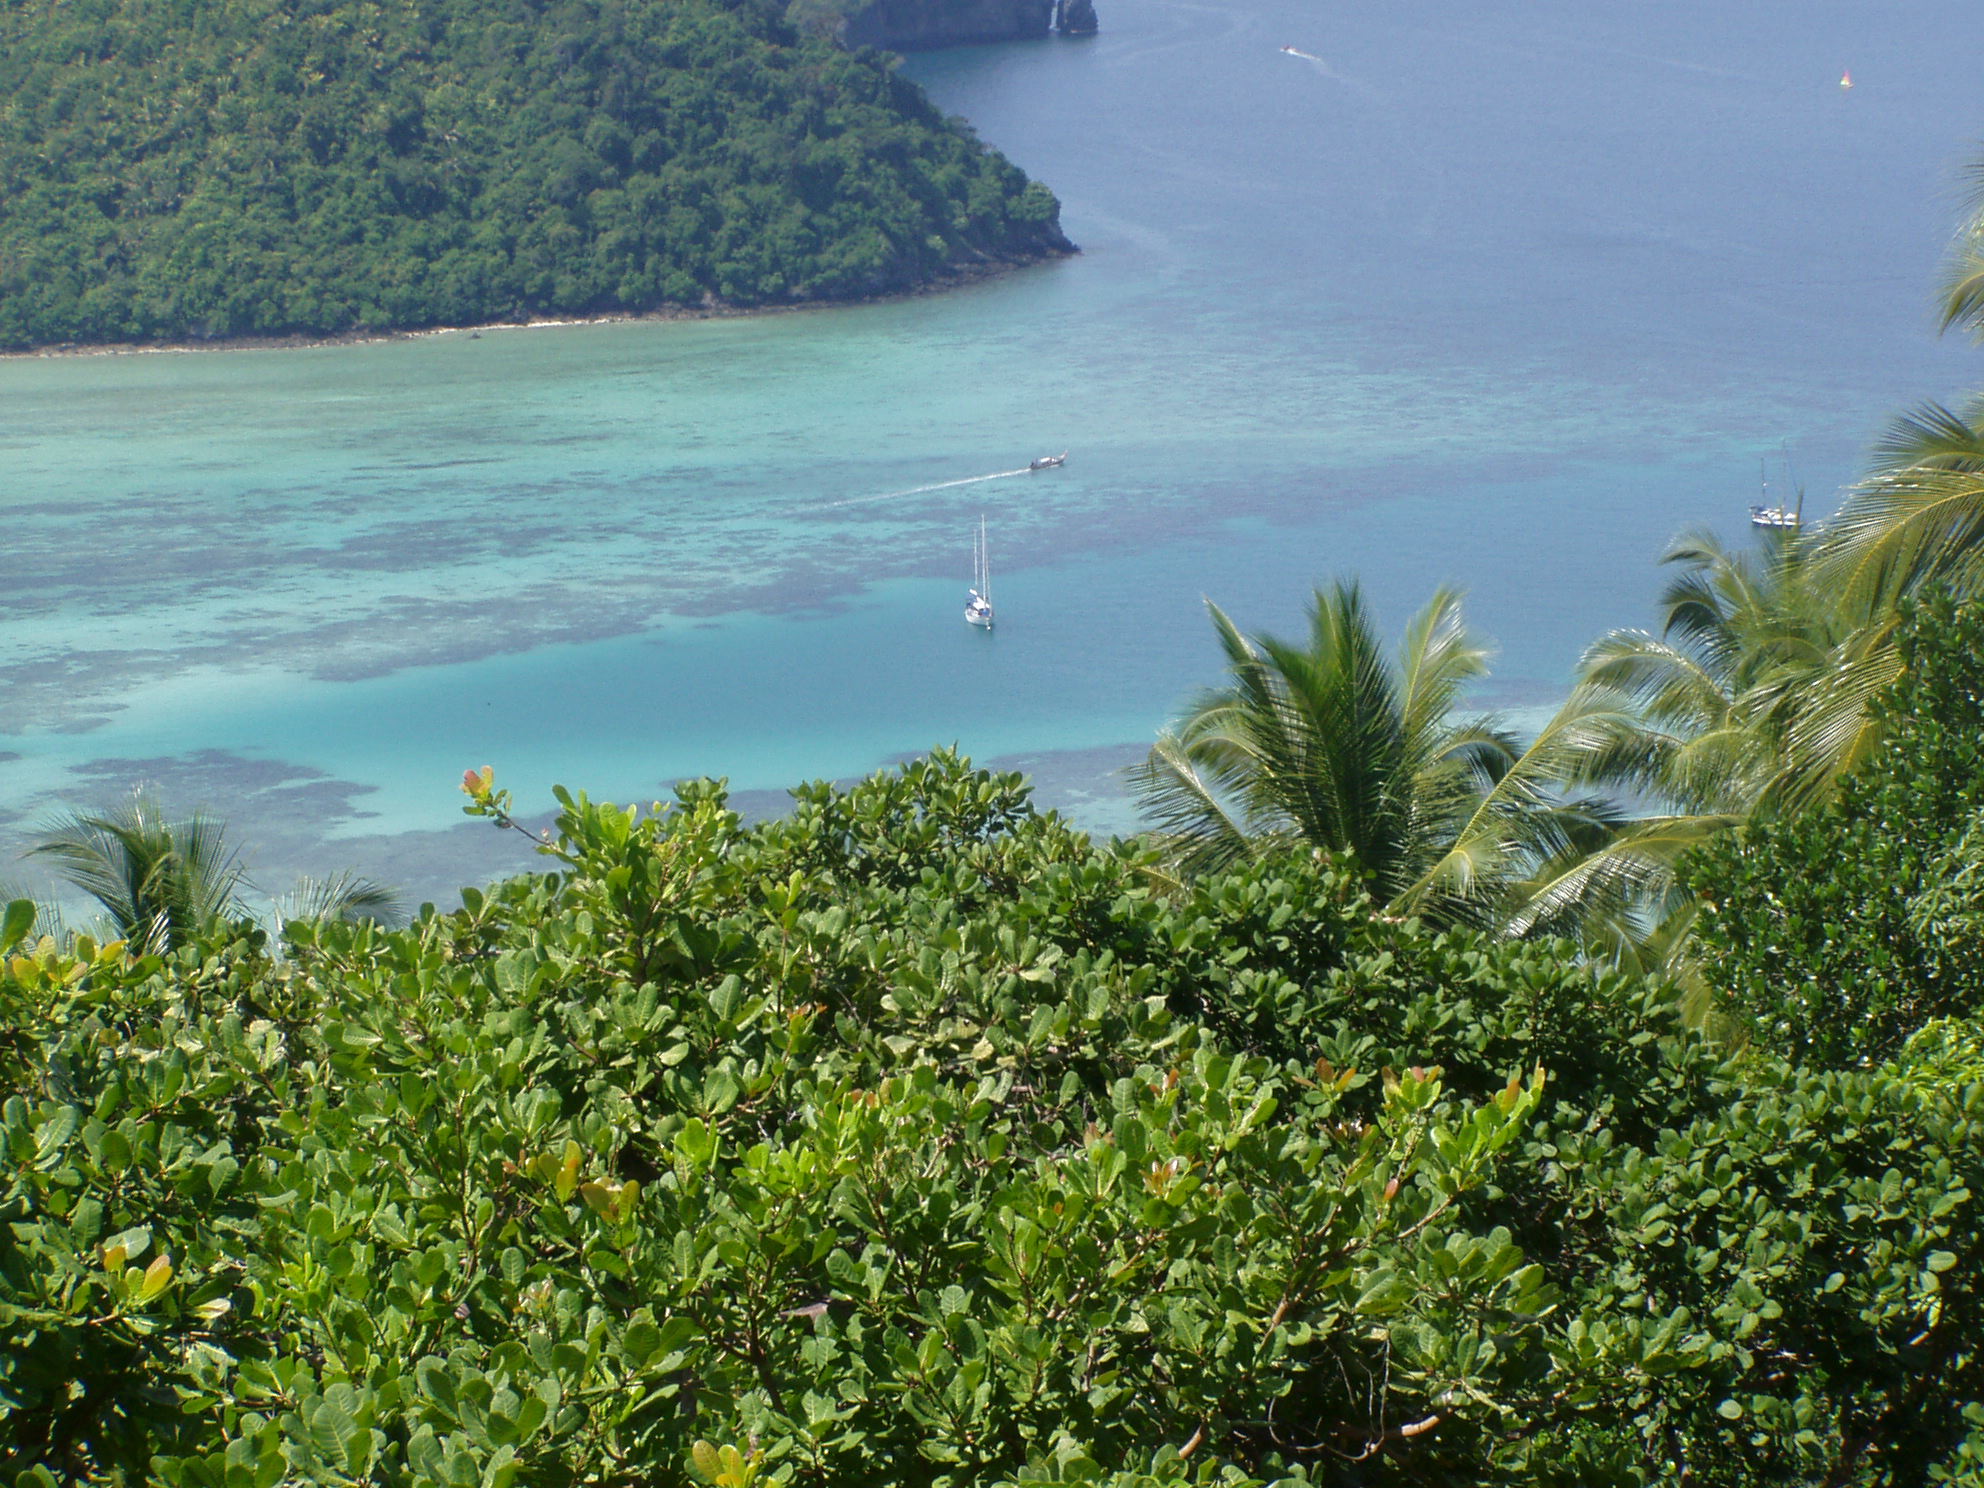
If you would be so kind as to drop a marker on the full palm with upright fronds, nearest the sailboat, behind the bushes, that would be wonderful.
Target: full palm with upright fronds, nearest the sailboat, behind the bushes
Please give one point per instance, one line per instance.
(1328, 743)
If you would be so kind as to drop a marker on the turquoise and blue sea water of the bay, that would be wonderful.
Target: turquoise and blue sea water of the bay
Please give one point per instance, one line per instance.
(1487, 299)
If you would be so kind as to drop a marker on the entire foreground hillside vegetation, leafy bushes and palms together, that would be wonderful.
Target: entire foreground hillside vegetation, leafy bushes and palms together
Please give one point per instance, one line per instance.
(1412, 1102)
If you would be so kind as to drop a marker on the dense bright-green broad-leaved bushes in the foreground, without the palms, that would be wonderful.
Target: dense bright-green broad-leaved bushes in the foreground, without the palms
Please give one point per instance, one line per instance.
(920, 1140)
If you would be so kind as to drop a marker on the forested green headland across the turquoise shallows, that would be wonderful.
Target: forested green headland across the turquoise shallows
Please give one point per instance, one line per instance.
(263, 168)
